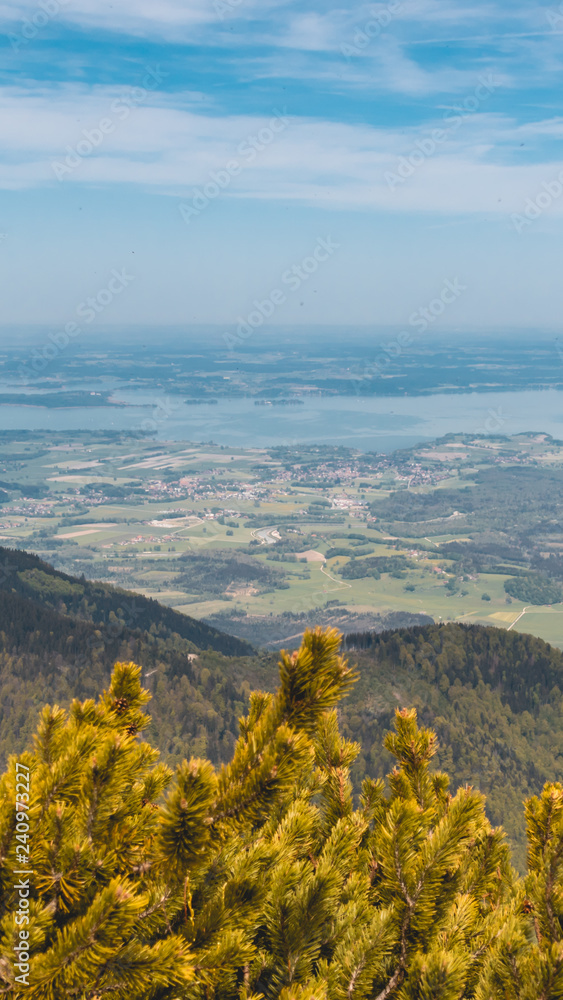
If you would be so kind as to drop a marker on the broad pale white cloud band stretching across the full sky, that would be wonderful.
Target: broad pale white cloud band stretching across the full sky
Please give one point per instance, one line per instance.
(175, 149)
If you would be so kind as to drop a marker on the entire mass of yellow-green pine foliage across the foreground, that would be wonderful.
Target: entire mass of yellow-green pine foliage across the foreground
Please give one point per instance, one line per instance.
(263, 880)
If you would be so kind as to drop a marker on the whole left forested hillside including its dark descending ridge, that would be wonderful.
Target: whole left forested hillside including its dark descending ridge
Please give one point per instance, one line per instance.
(60, 636)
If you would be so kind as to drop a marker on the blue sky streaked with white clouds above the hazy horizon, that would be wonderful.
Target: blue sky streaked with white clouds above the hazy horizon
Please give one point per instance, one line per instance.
(191, 161)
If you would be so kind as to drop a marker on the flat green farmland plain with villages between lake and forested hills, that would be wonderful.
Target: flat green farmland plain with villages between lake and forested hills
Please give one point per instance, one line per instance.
(263, 526)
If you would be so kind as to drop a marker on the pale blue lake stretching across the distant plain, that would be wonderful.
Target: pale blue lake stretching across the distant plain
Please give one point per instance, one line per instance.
(377, 424)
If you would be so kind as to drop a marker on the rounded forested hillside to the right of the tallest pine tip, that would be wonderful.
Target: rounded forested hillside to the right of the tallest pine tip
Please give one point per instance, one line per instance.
(495, 699)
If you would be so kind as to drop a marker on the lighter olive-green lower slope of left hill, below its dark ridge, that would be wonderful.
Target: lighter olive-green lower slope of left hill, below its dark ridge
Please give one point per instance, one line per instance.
(197, 695)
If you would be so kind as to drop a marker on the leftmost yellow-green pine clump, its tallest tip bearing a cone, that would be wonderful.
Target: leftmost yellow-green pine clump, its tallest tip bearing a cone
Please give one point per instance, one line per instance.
(97, 921)
